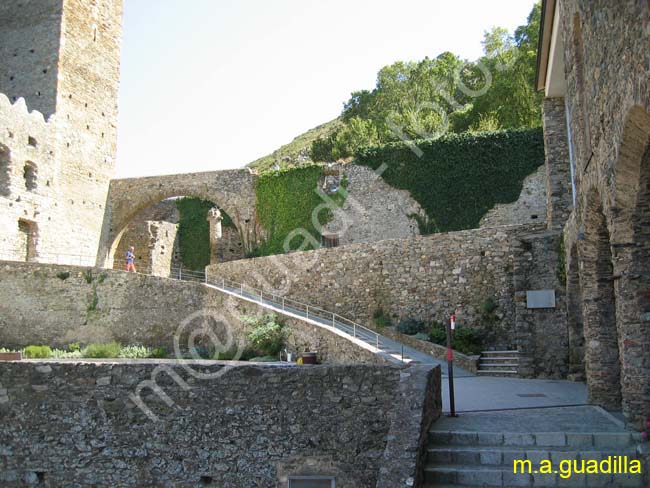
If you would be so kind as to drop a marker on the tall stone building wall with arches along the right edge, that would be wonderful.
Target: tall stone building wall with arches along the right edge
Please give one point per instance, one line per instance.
(607, 68)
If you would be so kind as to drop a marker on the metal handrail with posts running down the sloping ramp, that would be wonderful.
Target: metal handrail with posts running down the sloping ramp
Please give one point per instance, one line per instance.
(285, 304)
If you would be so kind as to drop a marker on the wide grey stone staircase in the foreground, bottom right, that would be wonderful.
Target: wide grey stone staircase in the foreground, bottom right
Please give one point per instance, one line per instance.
(486, 459)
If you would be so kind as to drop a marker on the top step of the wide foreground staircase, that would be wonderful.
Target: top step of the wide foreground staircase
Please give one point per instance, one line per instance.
(581, 440)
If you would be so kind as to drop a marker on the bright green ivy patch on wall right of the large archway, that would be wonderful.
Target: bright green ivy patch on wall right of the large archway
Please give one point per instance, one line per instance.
(286, 200)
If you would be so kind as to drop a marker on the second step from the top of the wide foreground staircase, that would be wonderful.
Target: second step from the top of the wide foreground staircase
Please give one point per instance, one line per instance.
(504, 456)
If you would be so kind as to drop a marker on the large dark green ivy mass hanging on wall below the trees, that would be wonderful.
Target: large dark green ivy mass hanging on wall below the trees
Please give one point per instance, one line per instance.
(459, 177)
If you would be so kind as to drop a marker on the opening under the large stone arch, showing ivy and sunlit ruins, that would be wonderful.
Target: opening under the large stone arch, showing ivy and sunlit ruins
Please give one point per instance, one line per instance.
(174, 235)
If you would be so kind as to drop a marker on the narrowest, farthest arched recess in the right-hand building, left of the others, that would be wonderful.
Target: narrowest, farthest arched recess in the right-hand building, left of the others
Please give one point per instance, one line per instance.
(574, 315)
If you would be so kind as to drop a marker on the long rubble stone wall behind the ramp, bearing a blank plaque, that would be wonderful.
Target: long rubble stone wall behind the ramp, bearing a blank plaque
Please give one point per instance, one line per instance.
(424, 277)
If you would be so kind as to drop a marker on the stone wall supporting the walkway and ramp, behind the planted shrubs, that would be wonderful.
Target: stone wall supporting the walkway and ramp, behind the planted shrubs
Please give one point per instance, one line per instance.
(59, 305)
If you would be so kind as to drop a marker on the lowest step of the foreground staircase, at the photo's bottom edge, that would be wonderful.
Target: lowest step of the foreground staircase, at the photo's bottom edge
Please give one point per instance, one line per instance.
(491, 476)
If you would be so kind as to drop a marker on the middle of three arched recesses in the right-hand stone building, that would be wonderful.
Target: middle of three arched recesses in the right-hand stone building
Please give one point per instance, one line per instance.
(602, 364)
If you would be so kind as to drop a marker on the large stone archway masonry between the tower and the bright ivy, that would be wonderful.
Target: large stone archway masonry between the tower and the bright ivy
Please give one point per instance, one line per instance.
(233, 190)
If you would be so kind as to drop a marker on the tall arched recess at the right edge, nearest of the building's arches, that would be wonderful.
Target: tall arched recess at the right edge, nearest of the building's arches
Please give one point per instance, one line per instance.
(632, 245)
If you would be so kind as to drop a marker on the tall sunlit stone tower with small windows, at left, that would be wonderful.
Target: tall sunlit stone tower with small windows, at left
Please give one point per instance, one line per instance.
(62, 57)
